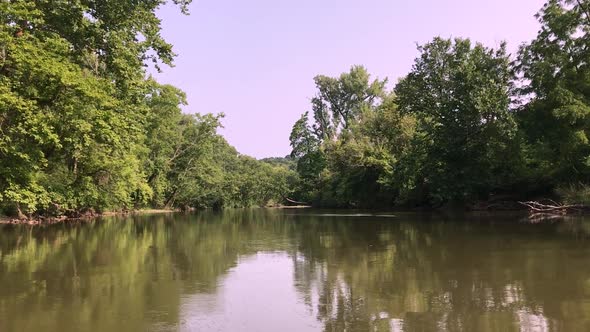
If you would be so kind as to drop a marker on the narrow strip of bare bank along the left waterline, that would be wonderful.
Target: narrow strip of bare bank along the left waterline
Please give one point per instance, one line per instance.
(56, 220)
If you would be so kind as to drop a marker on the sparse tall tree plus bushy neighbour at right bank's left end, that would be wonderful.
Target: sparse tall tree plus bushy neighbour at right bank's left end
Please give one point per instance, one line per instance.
(347, 155)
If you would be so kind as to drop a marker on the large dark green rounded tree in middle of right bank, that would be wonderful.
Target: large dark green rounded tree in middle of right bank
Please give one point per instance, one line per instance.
(459, 94)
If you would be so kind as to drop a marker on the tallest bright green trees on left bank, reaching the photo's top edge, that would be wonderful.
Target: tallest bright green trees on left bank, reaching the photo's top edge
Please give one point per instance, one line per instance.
(72, 105)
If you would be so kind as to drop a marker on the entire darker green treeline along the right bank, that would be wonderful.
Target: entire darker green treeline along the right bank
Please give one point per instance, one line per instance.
(468, 124)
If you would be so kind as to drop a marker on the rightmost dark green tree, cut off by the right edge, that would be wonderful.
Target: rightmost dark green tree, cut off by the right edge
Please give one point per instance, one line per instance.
(554, 90)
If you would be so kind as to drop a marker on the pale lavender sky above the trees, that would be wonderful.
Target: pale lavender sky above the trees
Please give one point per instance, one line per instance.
(255, 60)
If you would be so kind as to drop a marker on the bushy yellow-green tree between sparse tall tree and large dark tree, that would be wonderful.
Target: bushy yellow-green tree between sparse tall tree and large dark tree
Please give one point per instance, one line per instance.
(363, 163)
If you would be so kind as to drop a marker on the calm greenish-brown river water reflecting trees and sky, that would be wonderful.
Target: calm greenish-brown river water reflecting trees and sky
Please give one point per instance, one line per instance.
(297, 270)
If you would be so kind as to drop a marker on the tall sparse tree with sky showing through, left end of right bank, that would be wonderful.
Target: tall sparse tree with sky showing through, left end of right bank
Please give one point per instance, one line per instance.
(336, 108)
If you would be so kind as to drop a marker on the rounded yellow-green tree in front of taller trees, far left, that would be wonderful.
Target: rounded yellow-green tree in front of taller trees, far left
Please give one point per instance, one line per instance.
(66, 136)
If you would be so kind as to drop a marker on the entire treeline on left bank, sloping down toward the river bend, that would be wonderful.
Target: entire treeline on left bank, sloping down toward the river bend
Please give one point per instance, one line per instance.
(83, 128)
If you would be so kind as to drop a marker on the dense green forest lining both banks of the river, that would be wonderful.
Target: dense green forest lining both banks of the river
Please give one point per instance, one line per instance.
(84, 127)
